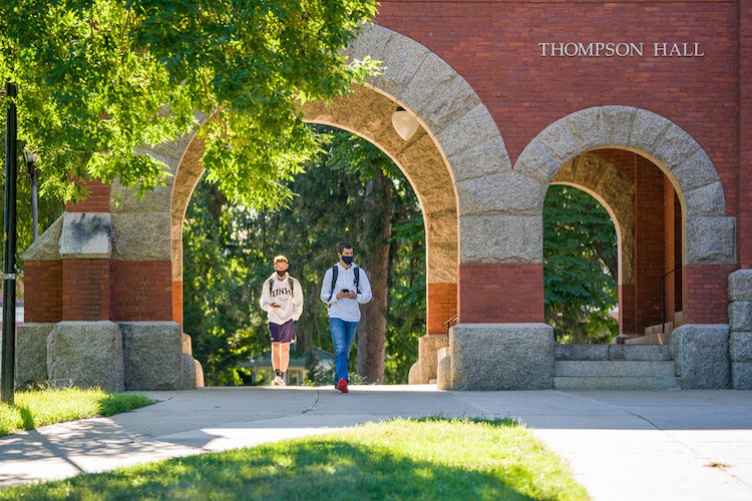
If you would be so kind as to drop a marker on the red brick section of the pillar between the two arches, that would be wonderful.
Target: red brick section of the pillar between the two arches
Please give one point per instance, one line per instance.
(500, 293)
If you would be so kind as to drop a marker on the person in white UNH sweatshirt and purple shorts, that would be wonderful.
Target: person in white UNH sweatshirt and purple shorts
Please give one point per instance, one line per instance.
(282, 299)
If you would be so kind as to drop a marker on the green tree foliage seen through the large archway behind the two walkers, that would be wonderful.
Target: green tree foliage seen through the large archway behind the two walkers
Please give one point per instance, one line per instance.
(229, 249)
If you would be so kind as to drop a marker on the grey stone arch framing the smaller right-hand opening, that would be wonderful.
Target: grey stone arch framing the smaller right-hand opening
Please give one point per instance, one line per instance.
(709, 236)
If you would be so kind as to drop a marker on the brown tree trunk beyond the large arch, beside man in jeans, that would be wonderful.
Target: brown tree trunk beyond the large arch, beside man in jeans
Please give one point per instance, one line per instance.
(372, 329)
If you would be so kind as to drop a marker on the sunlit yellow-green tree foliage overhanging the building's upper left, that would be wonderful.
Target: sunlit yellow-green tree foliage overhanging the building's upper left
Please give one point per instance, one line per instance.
(100, 78)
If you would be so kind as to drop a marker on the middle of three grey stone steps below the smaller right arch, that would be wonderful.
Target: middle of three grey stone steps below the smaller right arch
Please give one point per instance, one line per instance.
(611, 369)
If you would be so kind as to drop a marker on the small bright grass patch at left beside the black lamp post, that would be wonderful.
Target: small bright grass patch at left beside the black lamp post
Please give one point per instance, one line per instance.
(36, 408)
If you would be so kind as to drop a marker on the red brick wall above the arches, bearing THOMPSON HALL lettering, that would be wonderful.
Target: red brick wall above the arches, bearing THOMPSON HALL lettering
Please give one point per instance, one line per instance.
(494, 46)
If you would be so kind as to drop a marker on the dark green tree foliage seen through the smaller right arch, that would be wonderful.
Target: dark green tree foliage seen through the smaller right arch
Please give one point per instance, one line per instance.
(580, 267)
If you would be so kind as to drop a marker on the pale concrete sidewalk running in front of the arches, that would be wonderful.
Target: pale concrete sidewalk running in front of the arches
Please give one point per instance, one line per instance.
(684, 445)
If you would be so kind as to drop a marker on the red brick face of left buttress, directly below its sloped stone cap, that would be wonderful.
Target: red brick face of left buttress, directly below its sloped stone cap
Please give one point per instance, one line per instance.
(86, 289)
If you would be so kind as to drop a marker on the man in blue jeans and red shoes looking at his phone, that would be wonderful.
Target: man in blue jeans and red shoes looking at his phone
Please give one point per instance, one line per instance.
(345, 288)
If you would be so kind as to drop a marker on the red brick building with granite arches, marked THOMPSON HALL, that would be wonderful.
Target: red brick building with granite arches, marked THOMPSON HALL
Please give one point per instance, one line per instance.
(644, 105)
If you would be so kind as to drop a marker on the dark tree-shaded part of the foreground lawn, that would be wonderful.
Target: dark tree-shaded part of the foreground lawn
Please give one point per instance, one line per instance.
(311, 470)
